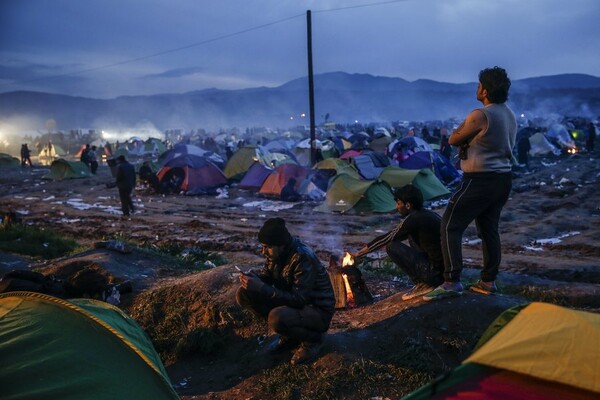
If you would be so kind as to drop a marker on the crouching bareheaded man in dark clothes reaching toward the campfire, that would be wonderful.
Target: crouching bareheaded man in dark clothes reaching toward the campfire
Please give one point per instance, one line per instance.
(422, 261)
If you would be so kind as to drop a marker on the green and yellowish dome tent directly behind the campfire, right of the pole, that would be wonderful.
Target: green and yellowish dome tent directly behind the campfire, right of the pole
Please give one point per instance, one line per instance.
(347, 193)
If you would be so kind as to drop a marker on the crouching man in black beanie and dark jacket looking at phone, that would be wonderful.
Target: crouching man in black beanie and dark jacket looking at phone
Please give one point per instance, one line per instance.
(292, 292)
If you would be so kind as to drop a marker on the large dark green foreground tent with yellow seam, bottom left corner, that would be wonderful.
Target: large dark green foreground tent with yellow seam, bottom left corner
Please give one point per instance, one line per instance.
(78, 349)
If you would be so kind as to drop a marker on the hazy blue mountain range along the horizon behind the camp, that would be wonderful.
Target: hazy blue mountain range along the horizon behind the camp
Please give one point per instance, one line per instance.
(345, 97)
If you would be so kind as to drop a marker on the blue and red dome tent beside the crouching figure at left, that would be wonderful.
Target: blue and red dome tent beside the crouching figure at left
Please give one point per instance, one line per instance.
(196, 174)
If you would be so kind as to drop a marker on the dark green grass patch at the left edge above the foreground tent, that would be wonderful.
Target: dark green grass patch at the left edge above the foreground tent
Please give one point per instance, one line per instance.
(35, 242)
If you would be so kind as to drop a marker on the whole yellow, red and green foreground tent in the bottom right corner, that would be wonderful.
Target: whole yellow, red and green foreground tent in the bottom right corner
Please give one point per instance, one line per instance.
(537, 351)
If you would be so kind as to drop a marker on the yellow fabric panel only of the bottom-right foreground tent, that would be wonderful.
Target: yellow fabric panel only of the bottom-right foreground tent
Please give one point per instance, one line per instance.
(548, 342)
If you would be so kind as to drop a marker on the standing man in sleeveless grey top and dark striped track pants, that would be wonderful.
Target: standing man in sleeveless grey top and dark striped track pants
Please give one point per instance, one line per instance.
(486, 139)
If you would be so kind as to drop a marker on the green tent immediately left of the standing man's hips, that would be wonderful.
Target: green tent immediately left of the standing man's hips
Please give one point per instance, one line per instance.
(424, 179)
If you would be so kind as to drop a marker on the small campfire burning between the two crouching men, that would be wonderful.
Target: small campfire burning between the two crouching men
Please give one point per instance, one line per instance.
(348, 285)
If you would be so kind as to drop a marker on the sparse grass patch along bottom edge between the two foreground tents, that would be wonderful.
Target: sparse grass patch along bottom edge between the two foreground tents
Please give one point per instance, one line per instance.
(357, 379)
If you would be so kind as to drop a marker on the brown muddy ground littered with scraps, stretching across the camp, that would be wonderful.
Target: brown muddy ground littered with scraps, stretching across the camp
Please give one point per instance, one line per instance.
(549, 229)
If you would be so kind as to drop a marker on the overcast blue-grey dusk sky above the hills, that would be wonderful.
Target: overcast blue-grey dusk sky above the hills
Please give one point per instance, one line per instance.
(109, 48)
